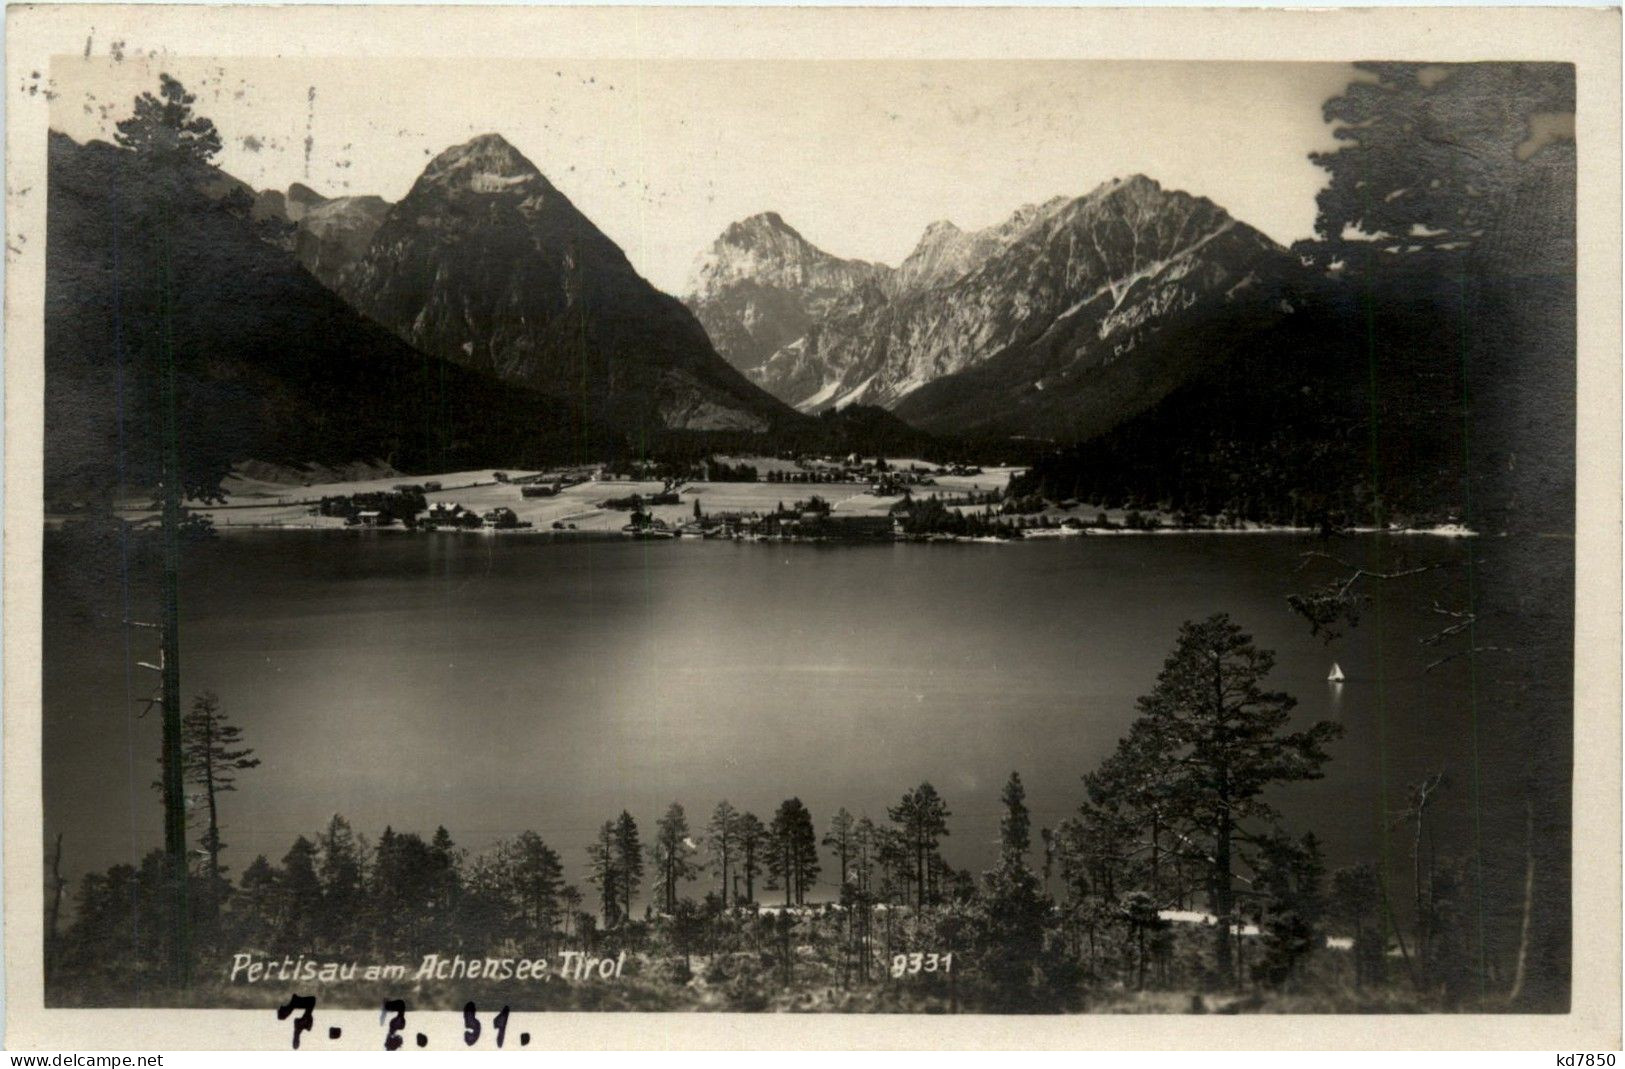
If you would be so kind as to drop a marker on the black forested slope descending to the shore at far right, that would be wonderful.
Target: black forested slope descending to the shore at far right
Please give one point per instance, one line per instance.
(1369, 405)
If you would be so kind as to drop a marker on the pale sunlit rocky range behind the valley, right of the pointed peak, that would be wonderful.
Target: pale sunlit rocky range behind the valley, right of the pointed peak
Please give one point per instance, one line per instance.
(1059, 322)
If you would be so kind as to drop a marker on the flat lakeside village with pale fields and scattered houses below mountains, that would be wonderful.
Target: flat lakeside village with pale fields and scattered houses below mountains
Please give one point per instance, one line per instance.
(745, 500)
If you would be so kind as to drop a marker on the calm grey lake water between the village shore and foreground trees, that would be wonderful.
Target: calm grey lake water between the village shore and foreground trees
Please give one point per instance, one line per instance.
(496, 685)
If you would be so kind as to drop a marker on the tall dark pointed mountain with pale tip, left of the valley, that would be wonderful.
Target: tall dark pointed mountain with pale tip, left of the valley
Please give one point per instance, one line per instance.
(485, 264)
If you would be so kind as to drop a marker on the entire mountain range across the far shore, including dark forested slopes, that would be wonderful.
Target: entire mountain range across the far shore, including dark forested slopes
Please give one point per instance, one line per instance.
(485, 321)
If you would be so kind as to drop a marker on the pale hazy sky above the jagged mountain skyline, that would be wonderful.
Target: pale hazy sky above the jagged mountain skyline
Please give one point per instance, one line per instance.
(859, 157)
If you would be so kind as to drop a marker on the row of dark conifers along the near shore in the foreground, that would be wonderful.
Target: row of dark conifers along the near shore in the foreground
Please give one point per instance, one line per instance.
(1172, 821)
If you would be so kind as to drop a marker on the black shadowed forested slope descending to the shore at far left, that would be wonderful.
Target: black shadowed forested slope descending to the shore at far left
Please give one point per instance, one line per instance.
(271, 365)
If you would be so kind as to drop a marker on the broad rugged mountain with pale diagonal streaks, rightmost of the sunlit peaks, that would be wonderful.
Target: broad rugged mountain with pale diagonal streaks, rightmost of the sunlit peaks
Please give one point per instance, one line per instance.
(1098, 308)
